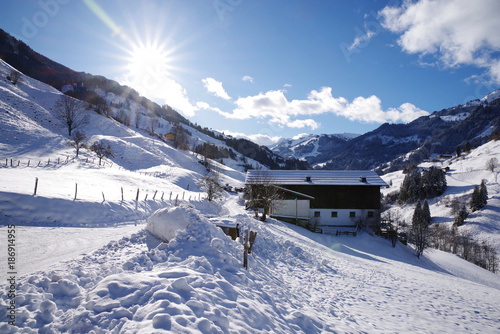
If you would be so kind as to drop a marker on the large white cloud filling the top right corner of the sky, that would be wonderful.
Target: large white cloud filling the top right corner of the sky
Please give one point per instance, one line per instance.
(457, 32)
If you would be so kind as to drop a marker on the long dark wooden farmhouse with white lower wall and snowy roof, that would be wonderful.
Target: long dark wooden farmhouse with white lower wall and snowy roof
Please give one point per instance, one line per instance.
(324, 200)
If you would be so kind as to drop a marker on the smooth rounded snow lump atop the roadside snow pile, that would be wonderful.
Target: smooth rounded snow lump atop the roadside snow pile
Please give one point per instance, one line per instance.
(164, 223)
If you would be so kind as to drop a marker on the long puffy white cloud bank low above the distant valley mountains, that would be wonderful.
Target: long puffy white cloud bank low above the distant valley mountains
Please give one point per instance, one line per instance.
(274, 105)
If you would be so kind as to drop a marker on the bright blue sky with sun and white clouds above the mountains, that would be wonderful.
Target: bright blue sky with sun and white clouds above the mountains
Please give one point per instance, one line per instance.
(272, 69)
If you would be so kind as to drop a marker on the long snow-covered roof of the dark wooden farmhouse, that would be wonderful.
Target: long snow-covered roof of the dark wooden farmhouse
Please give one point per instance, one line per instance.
(315, 177)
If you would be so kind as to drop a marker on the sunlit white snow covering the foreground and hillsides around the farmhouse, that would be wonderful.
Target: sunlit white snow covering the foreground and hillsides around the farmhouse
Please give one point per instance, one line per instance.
(88, 265)
